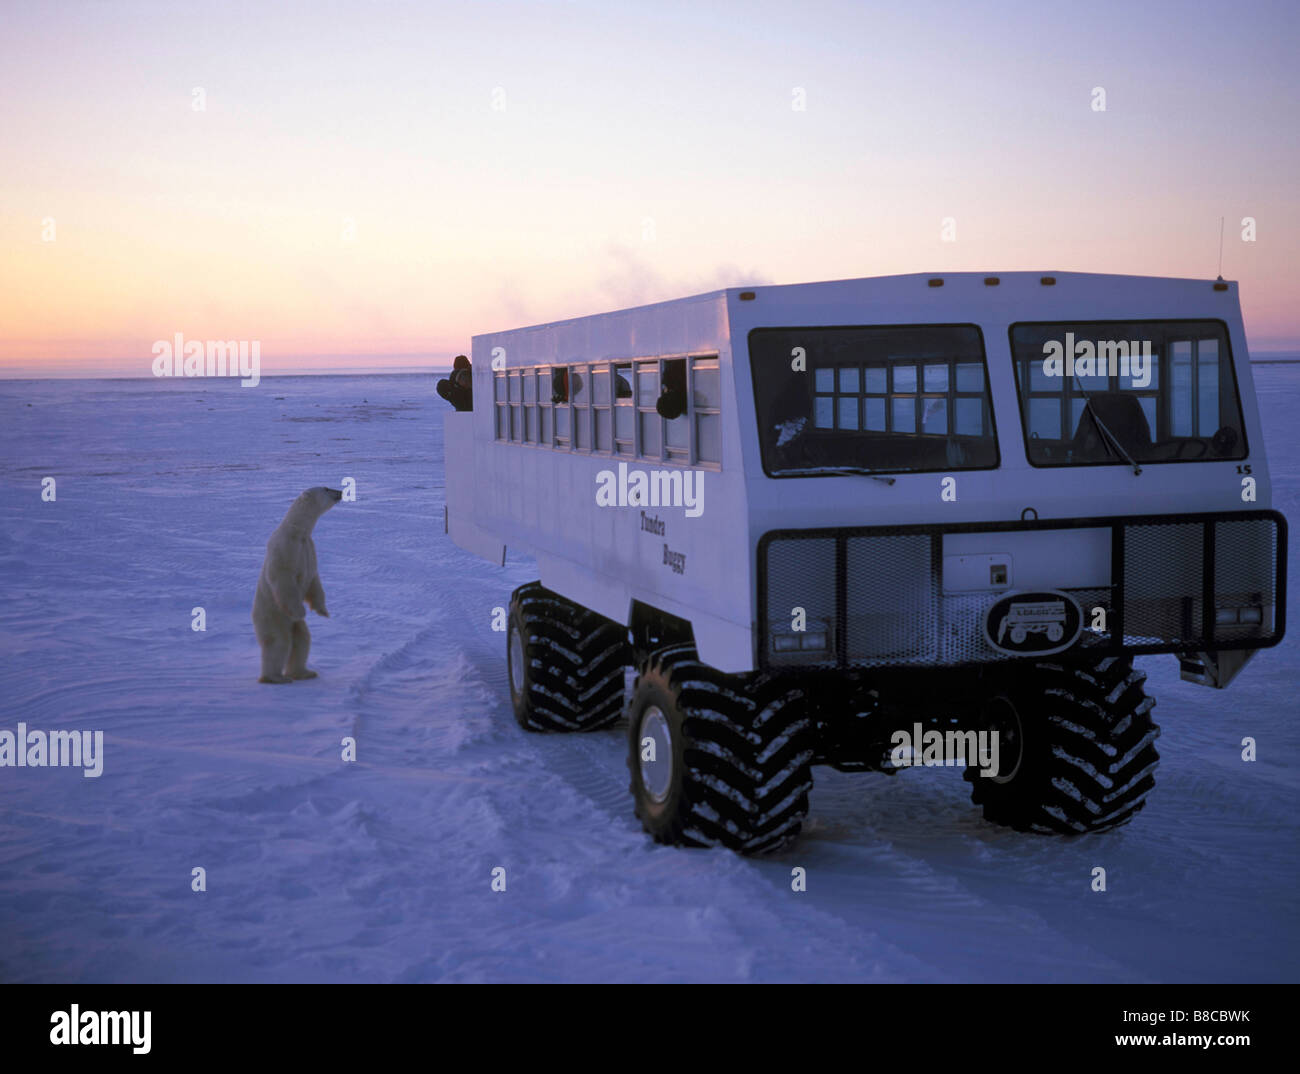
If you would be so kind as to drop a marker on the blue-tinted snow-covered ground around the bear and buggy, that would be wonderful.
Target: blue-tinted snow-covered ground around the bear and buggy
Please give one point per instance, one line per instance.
(380, 871)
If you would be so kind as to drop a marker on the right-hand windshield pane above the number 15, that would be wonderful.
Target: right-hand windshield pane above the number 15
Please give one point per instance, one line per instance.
(1155, 392)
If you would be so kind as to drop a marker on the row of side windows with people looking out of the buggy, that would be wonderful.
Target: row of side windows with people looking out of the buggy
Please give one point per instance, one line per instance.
(610, 408)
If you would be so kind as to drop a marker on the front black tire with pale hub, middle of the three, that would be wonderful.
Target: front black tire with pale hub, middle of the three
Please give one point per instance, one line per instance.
(740, 756)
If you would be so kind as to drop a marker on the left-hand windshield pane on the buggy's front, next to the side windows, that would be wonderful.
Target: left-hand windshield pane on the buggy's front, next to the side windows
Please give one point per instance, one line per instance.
(878, 400)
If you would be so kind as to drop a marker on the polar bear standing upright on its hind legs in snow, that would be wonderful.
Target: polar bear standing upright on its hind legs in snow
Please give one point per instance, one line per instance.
(288, 579)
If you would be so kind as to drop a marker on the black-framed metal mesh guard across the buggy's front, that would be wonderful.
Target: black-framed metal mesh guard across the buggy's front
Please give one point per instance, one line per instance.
(876, 597)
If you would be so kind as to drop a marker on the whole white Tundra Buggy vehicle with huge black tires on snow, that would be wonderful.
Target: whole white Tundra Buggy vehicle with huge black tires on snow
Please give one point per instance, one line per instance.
(873, 523)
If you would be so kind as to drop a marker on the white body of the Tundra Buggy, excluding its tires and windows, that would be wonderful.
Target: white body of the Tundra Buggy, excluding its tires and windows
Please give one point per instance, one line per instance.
(709, 570)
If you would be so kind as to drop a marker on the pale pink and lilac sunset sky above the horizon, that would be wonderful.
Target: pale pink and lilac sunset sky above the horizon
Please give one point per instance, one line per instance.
(370, 185)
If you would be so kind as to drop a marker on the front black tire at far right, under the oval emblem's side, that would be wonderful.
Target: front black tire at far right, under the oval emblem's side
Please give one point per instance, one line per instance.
(1086, 755)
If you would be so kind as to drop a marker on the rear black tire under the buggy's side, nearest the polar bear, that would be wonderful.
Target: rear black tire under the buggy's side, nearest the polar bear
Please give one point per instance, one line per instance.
(567, 670)
